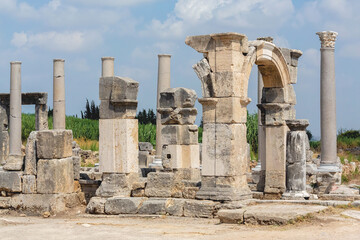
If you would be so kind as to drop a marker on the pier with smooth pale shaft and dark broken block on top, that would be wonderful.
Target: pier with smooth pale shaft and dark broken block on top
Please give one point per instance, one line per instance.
(118, 129)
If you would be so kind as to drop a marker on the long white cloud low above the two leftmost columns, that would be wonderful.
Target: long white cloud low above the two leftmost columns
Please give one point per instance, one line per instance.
(57, 41)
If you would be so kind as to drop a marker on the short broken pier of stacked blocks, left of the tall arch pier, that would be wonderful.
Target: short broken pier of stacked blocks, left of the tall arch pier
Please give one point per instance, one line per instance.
(179, 135)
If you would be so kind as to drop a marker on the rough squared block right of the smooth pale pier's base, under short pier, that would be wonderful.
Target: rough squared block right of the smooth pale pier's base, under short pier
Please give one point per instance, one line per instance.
(159, 184)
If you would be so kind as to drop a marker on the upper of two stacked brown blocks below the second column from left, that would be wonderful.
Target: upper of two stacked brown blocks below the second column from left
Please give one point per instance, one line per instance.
(54, 144)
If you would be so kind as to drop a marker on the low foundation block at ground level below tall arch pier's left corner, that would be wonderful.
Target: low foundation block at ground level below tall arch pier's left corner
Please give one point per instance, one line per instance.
(202, 209)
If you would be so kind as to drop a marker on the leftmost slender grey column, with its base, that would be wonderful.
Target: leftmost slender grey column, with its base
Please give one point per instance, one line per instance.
(15, 159)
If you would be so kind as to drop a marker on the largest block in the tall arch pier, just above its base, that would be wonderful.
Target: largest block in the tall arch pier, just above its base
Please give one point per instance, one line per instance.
(224, 149)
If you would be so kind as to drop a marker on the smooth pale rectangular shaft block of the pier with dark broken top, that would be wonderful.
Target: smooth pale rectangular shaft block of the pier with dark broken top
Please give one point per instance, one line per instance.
(118, 145)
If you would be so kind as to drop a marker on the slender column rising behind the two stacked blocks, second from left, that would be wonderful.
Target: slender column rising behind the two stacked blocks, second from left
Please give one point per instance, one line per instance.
(59, 94)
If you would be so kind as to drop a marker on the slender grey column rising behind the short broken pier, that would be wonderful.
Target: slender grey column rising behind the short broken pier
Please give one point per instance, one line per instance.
(163, 83)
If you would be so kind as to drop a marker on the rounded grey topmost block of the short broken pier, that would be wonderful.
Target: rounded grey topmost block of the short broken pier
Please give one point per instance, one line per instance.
(177, 98)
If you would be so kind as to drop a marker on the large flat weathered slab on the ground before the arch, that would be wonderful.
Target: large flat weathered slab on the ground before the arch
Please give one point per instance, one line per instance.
(278, 213)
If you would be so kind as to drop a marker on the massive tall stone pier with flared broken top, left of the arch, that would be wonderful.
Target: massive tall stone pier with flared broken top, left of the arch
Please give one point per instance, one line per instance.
(224, 147)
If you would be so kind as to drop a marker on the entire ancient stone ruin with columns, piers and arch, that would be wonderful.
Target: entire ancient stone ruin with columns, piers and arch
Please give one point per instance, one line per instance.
(182, 177)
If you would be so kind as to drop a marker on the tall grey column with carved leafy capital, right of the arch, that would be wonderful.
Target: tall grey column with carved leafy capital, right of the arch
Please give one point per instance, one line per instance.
(328, 103)
